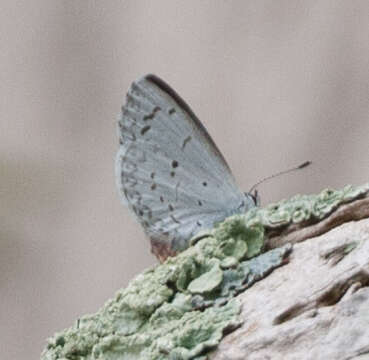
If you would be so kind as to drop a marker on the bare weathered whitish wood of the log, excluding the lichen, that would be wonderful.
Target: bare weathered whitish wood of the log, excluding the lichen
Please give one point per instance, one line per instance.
(316, 306)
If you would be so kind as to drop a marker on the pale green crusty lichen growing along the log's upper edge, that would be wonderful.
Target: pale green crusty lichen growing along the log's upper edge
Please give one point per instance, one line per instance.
(181, 309)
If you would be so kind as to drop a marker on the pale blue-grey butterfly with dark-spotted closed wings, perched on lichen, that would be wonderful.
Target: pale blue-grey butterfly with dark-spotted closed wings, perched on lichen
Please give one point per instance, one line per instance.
(169, 171)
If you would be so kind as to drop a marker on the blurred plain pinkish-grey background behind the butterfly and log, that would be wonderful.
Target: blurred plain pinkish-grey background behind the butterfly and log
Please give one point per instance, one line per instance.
(275, 83)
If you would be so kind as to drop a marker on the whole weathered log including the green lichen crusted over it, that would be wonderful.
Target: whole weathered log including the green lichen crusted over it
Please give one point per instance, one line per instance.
(307, 297)
